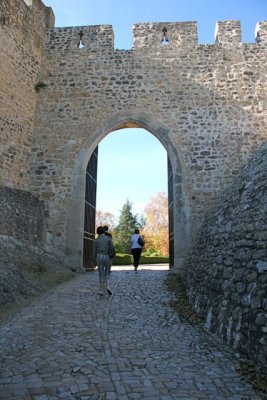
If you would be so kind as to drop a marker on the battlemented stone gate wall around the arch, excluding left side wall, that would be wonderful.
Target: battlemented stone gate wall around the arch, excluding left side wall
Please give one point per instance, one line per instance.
(205, 103)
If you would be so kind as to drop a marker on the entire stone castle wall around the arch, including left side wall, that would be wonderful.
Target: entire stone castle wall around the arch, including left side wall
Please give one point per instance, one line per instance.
(206, 103)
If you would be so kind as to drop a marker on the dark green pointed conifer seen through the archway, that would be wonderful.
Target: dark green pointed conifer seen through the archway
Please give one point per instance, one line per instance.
(127, 224)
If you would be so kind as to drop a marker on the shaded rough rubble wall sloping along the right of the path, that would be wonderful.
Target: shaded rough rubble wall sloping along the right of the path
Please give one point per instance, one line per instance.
(226, 269)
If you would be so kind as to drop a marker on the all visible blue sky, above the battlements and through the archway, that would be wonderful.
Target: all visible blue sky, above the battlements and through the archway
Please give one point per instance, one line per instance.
(124, 154)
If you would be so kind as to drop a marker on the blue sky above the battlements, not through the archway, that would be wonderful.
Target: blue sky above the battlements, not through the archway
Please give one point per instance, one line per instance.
(122, 14)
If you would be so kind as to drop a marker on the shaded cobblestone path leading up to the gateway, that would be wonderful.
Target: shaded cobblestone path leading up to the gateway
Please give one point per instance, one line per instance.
(73, 344)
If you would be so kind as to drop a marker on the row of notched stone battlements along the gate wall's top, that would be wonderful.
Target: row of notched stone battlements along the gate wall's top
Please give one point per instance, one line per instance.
(149, 36)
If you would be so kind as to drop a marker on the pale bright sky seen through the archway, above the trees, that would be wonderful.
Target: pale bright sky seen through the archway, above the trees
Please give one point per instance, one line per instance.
(132, 164)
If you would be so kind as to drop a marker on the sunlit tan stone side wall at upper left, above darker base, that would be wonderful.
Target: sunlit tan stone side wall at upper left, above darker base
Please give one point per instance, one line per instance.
(22, 31)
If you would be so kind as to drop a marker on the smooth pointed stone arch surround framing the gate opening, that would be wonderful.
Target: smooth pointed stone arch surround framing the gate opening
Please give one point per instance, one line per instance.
(75, 211)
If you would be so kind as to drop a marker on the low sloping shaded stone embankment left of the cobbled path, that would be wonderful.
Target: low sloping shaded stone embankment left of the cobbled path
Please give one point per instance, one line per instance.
(26, 271)
